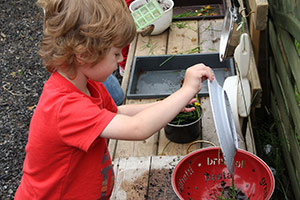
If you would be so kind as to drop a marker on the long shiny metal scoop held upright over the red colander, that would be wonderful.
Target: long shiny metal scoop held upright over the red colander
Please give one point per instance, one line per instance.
(224, 123)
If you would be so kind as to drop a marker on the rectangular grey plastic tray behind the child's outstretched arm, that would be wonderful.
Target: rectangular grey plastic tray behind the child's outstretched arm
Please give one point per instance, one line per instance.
(150, 80)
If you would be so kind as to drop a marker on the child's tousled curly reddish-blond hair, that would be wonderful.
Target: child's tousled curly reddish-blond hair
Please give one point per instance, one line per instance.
(86, 27)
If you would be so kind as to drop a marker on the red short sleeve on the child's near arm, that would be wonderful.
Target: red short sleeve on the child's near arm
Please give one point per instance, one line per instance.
(80, 121)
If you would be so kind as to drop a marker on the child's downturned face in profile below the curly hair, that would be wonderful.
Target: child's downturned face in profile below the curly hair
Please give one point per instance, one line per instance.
(102, 69)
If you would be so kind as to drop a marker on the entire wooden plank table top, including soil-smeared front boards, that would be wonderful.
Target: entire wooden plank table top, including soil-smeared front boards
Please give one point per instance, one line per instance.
(139, 165)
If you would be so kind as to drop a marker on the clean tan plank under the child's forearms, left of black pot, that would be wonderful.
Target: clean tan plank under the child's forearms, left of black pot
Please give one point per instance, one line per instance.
(137, 148)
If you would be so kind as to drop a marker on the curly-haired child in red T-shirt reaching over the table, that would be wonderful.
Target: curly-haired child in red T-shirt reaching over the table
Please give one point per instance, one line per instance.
(66, 154)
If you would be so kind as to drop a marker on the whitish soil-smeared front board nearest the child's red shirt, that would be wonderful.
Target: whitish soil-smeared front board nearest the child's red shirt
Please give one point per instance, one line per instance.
(132, 178)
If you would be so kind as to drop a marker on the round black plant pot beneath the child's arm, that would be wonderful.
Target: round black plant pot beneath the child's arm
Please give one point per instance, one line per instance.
(184, 133)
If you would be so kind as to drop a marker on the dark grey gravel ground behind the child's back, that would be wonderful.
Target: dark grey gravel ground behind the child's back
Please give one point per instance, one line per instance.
(22, 77)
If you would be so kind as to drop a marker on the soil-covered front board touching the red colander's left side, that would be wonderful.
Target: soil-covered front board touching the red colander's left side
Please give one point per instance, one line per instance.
(160, 178)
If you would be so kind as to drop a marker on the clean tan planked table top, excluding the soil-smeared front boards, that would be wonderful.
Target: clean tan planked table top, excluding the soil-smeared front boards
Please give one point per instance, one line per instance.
(181, 37)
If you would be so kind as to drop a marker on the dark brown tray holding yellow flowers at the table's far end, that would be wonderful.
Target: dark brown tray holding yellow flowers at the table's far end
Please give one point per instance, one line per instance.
(184, 6)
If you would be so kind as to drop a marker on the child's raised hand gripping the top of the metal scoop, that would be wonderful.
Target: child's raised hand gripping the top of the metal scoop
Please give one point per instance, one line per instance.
(195, 75)
